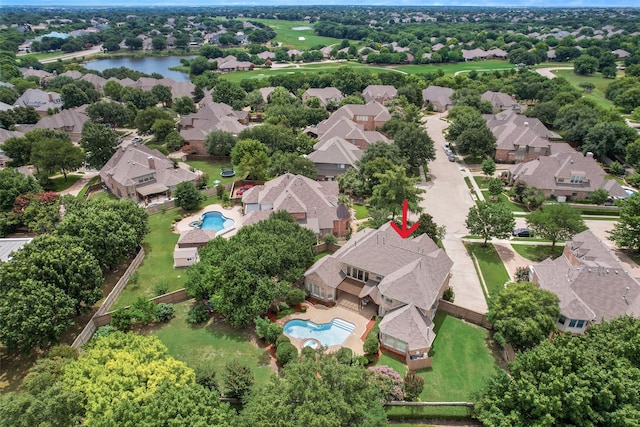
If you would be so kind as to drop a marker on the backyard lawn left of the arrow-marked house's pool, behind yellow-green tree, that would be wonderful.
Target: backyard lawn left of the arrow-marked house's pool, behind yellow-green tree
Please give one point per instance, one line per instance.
(212, 345)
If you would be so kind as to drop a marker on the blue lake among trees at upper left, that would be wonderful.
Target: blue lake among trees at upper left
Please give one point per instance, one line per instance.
(148, 64)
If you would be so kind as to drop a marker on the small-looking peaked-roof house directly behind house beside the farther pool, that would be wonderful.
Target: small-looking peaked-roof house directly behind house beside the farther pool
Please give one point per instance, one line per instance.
(333, 157)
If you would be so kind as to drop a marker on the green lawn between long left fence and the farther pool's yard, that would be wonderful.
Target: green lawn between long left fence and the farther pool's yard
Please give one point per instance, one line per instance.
(158, 263)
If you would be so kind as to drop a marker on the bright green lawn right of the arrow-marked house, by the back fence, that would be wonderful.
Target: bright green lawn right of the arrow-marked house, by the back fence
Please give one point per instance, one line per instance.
(462, 363)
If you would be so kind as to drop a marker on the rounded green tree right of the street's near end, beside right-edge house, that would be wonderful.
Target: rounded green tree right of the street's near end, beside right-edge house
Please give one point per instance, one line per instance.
(524, 314)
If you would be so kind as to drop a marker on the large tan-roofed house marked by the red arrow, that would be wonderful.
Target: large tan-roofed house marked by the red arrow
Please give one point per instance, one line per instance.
(402, 278)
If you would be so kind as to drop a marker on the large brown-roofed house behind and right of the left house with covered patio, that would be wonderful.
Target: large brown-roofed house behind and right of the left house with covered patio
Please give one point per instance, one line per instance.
(195, 127)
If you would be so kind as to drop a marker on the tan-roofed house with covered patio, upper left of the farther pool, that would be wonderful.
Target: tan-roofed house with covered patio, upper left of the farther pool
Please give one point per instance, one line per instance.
(137, 172)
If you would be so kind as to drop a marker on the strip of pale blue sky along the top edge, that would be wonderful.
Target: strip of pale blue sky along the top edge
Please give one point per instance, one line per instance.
(246, 3)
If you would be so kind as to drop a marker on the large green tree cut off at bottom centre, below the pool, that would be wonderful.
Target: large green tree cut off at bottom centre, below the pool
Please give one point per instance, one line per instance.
(321, 392)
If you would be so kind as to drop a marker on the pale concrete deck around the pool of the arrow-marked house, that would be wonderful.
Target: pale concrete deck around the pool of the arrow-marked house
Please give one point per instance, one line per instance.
(321, 314)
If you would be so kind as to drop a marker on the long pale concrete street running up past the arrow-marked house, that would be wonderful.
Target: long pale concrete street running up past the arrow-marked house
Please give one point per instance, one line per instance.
(448, 200)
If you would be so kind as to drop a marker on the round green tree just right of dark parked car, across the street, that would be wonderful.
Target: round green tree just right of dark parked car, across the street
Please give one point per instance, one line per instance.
(556, 222)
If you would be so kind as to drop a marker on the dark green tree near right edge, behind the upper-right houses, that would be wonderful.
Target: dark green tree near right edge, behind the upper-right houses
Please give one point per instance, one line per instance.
(609, 139)
